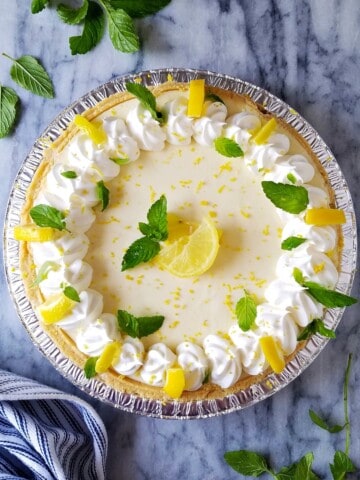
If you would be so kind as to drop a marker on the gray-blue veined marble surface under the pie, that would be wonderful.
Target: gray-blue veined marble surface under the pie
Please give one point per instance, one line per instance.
(308, 54)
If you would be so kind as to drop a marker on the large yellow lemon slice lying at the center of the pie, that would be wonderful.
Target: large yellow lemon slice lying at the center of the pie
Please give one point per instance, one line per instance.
(191, 255)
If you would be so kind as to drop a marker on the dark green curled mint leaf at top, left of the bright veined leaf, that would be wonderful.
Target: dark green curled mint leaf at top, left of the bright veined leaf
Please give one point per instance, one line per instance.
(92, 33)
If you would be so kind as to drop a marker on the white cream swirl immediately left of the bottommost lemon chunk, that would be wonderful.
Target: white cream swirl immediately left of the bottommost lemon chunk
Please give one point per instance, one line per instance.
(158, 360)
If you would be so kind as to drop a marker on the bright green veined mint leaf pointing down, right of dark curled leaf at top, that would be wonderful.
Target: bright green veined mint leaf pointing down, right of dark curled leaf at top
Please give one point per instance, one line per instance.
(121, 29)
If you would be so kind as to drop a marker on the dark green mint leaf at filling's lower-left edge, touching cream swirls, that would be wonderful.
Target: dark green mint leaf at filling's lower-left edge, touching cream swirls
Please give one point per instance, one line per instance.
(138, 327)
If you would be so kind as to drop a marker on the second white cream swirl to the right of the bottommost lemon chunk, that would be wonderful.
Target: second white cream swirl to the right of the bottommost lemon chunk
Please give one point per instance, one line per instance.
(224, 361)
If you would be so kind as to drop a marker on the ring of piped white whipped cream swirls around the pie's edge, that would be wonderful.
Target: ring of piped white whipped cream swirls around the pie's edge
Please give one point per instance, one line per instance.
(287, 309)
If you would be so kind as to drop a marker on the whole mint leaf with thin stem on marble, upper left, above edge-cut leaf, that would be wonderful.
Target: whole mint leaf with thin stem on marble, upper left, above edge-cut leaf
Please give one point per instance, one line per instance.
(31, 75)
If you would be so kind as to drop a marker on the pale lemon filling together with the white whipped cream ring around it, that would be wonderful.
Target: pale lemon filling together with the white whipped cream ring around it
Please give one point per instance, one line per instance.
(200, 332)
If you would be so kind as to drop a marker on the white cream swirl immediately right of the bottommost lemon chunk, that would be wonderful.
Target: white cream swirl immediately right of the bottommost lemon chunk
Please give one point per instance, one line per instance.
(193, 361)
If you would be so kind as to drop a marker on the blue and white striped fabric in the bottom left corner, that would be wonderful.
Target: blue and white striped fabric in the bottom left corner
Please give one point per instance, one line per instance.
(46, 434)
